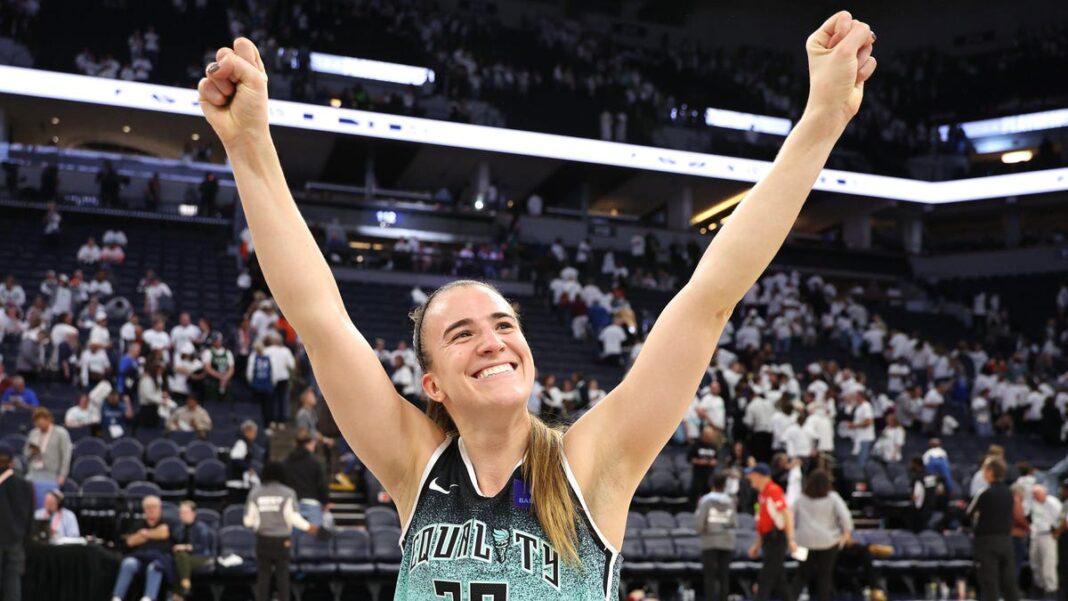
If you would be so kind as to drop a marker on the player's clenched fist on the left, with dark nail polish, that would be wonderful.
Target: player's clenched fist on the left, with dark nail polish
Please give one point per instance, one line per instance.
(233, 96)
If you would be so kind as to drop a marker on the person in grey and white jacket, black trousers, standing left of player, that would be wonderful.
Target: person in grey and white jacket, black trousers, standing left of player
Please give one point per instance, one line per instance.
(272, 513)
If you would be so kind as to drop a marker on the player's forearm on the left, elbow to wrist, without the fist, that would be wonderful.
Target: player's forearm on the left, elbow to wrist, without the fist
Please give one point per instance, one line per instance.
(293, 265)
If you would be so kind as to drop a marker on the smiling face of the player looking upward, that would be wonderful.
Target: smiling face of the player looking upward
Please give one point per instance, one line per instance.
(478, 354)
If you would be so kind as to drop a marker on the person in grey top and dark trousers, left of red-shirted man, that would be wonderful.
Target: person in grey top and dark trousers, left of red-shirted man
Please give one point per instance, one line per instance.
(716, 521)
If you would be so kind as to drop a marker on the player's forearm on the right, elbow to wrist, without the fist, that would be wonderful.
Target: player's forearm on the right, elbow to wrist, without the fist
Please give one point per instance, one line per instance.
(746, 245)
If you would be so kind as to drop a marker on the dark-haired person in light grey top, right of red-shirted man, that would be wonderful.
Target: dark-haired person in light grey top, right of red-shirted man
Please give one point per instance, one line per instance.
(824, 527)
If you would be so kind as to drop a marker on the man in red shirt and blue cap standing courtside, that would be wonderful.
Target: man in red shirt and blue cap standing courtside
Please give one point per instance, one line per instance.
(775, 525)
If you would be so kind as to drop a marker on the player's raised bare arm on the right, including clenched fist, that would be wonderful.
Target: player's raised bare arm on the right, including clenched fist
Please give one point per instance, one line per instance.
(623, 435)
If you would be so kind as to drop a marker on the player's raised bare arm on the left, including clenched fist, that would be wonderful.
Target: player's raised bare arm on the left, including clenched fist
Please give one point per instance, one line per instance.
(389, 435)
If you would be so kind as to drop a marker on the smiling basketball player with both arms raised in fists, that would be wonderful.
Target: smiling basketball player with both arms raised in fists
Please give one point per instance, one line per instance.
(495, 505)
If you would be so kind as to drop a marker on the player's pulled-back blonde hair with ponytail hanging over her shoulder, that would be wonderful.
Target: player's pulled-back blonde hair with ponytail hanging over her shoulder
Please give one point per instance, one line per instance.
(552, 499)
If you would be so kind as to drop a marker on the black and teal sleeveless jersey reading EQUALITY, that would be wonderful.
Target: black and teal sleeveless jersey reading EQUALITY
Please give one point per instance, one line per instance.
(463, 546)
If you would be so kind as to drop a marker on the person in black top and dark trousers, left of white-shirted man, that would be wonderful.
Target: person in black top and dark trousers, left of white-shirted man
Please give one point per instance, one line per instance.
(993, 514)
